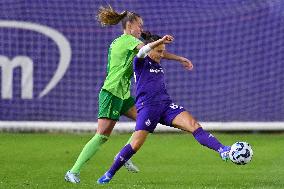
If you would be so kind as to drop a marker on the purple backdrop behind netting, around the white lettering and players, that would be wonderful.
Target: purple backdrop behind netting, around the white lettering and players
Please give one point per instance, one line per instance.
(236, 46)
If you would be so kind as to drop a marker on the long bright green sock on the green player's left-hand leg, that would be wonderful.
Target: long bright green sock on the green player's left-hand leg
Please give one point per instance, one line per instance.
(89, 151)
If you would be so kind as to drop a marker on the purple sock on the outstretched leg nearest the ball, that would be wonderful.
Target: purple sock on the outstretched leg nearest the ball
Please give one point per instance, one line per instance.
(207, 139)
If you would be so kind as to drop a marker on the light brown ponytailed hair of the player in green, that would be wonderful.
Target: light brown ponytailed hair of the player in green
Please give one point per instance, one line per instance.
(108, 16)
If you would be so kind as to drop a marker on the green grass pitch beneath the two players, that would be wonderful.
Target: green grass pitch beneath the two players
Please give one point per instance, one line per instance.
(166, 161)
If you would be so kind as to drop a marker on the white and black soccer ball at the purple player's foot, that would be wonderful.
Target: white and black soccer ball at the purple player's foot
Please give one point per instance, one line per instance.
(241, 153)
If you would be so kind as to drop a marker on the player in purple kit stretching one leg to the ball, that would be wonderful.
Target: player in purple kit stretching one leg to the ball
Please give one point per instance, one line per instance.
(155, 106)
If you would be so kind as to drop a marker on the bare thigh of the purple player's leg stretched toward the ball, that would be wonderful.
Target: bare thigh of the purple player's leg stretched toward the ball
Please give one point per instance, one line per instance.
(185, 121)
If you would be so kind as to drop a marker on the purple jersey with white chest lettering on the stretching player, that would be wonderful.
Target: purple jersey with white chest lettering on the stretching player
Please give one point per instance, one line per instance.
(150, 83)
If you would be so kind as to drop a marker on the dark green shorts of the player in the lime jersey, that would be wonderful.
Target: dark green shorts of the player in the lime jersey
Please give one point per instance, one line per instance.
(111, 106)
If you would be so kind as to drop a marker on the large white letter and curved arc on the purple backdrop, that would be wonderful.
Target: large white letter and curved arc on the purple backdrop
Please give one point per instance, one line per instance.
(26, 64)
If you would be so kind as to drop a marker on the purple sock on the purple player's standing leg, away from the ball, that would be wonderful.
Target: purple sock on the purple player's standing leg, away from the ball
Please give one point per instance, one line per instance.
(124, 155)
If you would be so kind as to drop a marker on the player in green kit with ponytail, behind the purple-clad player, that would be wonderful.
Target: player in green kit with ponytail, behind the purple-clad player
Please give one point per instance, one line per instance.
(114, 97)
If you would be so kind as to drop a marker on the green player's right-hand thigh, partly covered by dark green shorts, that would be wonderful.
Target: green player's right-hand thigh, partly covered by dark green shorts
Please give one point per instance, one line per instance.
(129, 109)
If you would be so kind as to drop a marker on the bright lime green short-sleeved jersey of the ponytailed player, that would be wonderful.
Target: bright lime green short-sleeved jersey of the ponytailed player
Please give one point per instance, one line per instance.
(119, 68)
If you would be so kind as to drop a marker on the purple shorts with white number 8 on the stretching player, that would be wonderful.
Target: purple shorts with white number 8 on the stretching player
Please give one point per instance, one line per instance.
(149, 116)
